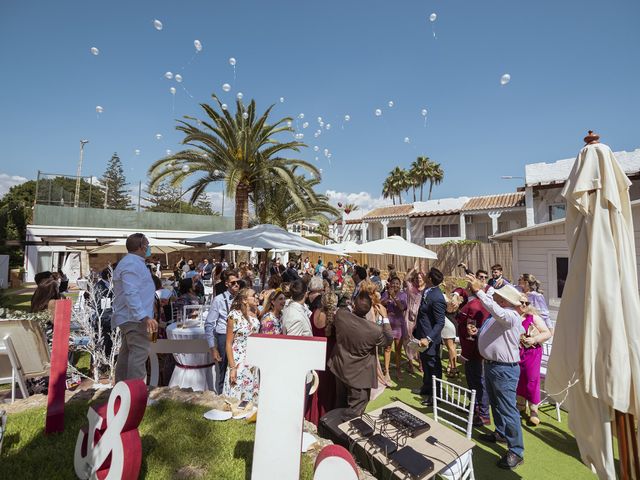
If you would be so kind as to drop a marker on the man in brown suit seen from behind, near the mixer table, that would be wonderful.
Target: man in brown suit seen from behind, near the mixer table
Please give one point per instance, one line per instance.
(354, 357)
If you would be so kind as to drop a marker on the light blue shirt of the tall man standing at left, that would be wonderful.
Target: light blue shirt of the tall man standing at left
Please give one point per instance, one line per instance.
(133, 291)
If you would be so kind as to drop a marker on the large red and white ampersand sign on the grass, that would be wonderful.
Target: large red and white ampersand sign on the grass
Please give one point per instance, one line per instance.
(113, 432)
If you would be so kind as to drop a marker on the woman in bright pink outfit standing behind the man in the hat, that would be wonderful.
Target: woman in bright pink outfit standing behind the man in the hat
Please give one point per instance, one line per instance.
(536, 333)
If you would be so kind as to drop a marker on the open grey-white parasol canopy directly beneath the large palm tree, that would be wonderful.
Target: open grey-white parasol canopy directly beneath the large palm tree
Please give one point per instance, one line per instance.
(268, 237)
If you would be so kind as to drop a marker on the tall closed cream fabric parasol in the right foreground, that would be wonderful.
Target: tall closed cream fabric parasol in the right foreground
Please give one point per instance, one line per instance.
(595, 360)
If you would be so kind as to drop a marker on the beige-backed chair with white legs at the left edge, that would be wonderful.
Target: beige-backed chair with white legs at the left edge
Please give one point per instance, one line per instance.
(23, 352)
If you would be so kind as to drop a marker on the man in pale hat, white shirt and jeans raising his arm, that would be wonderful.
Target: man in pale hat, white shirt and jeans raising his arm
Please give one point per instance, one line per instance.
(498, 343)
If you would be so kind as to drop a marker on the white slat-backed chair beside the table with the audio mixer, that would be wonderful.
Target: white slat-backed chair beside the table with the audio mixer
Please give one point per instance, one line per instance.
(454, 406)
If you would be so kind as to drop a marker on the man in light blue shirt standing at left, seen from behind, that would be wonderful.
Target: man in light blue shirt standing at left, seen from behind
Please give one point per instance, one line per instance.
(133, 291)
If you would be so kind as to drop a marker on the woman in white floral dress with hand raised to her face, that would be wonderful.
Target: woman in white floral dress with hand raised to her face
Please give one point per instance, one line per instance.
(241, 379)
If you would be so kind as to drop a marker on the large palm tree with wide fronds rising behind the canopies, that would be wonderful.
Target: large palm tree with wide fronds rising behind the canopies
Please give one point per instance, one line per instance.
(240, 149)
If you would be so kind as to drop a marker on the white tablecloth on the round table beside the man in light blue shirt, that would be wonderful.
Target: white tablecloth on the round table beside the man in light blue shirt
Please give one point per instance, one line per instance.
(199, 379)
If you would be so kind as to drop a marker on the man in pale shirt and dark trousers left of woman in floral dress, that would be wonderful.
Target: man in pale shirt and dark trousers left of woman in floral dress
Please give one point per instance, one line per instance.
(215, 326)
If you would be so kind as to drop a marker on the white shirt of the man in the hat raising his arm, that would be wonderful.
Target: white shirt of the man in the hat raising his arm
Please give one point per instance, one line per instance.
(499, 336)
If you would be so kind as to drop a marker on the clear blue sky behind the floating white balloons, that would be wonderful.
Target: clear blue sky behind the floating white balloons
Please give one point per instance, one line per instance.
(573, 66)
